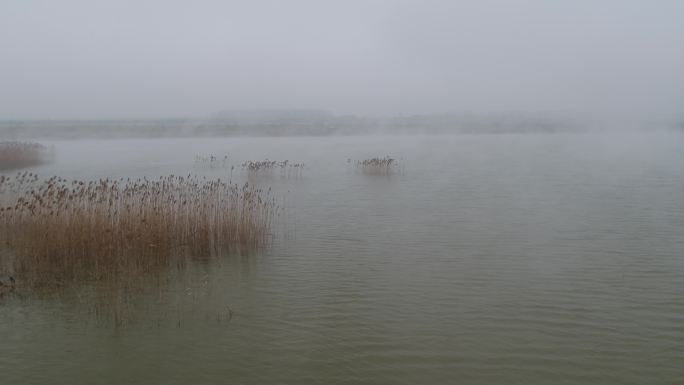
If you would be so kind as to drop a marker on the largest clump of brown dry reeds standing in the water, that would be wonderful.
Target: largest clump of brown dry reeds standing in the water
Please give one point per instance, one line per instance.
(60, 231)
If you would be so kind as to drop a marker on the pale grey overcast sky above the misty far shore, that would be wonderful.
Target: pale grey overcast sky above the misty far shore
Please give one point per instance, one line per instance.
(164, 58)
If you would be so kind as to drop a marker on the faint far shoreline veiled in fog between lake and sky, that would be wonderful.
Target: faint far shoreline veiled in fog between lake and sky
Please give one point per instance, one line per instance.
(316, 123)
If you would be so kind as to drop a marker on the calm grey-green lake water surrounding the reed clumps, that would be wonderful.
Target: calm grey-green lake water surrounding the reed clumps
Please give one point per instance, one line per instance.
(488, 259)
